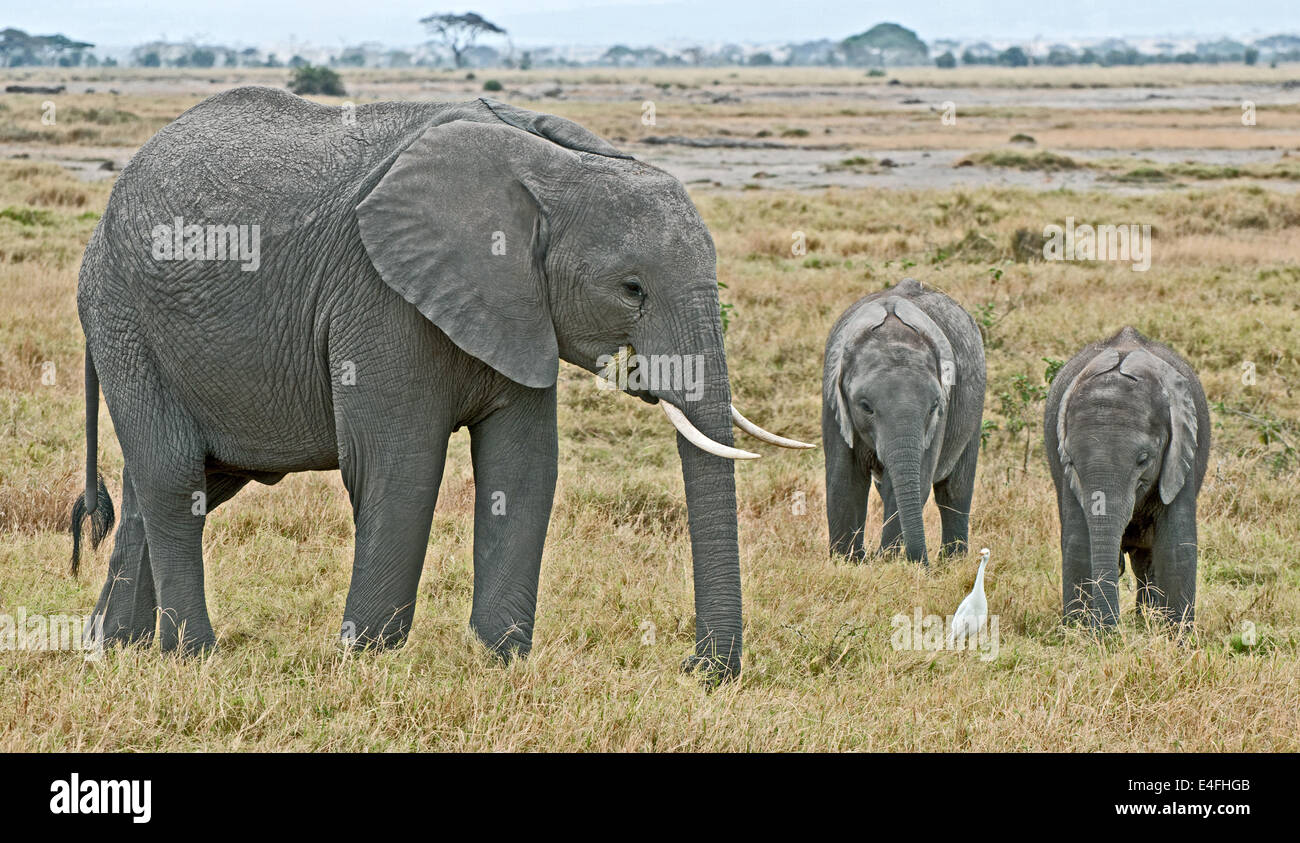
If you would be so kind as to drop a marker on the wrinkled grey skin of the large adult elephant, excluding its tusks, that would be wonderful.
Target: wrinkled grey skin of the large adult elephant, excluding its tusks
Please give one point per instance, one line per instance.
(379, 323)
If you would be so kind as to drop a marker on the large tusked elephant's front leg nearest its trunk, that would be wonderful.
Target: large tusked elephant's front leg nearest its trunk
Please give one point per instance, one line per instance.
(515, 453)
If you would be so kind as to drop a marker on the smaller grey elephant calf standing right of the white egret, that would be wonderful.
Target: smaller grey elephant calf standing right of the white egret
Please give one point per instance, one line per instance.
(1137, 440)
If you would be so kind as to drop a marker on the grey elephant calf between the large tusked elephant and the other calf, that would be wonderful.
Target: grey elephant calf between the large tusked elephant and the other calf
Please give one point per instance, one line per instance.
(889, 417)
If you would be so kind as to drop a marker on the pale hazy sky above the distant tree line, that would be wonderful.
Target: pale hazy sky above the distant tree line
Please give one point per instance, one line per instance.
(638, 23)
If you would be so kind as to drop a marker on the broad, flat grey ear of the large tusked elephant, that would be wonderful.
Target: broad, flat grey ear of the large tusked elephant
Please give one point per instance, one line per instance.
(456, 227)
